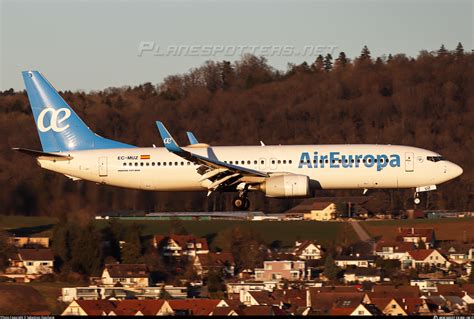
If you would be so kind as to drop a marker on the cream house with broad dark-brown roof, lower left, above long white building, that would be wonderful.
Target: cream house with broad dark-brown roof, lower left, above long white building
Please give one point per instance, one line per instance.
(126, 275)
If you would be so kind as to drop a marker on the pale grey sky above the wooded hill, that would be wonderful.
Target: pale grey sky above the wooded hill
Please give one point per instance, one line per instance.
(92, 45)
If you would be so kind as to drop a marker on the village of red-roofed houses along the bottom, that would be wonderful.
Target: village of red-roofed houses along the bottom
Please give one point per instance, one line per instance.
(411, 274)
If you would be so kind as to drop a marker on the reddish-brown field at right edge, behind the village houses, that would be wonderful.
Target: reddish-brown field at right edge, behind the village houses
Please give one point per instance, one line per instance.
(445, 228)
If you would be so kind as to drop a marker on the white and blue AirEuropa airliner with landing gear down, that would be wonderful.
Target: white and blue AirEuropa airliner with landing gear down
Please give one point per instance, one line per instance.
(71, 148)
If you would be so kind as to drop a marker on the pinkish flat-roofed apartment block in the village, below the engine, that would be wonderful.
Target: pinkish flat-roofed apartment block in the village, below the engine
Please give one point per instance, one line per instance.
(281, 269)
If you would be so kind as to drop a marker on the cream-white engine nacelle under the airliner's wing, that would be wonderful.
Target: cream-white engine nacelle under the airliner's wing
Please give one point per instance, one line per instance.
(286, 186)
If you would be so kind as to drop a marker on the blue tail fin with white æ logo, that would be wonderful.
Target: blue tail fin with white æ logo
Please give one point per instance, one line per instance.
(59, 127)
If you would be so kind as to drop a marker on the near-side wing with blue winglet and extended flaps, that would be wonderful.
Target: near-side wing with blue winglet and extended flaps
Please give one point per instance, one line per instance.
(221, 174)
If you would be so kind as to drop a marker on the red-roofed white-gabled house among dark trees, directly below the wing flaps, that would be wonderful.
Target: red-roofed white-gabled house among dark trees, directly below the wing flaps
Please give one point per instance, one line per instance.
(180, 245)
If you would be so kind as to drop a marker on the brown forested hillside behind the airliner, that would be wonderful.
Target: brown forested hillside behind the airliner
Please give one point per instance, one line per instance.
(427, 101)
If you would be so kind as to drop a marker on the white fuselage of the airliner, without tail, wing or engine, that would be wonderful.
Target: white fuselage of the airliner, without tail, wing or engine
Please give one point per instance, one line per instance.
(159, 170)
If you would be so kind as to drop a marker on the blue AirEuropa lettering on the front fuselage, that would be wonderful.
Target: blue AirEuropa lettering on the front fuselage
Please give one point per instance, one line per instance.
(336, 160)
